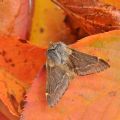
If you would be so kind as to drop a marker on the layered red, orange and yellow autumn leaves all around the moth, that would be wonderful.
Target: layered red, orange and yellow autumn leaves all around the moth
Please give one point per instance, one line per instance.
(26, 30)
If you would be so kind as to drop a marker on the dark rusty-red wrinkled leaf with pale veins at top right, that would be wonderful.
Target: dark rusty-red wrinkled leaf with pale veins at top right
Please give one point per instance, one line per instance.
(90, 17)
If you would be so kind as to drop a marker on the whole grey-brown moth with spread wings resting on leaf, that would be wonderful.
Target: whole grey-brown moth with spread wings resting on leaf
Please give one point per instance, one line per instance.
(63, 63)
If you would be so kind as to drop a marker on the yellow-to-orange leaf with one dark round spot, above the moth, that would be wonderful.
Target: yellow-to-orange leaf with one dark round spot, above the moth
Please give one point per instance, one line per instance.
(48, 24)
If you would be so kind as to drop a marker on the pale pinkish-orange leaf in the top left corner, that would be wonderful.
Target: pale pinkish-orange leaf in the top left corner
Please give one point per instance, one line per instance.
(15, 17)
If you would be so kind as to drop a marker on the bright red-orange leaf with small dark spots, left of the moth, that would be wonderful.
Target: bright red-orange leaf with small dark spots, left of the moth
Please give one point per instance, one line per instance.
(20, 58)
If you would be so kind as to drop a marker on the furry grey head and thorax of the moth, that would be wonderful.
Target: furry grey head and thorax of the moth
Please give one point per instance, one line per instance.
(58, 53)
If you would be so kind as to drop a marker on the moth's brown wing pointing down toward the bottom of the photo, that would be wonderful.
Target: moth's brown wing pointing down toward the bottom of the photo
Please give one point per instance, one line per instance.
(57, 83)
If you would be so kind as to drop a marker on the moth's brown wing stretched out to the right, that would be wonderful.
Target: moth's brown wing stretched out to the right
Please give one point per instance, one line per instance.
(84, 64)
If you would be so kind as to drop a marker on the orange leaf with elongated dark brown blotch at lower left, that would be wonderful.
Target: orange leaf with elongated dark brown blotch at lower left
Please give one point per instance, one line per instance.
(12, 92)
